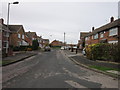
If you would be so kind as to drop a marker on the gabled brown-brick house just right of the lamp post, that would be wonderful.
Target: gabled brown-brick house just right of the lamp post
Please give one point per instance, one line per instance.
(18, 35)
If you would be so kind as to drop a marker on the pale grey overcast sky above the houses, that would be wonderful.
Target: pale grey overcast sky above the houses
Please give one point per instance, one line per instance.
(52, 19)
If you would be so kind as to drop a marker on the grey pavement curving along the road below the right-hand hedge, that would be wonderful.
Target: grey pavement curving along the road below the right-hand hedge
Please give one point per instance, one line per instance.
(81, 60)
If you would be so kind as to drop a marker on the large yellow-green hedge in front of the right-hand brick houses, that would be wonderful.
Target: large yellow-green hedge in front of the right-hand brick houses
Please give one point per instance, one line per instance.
(103, 51)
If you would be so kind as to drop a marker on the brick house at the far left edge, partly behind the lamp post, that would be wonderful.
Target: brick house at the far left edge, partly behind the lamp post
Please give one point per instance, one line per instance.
(5, 40)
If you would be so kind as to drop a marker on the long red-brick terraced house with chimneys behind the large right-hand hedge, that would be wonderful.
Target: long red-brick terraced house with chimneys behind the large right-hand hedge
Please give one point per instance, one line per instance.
(109, 33)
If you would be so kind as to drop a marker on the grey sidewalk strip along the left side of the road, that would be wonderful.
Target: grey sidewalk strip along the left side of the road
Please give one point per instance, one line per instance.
(19, 56)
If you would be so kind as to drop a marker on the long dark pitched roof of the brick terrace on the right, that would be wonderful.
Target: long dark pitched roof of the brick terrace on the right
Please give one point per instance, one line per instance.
(105, 27)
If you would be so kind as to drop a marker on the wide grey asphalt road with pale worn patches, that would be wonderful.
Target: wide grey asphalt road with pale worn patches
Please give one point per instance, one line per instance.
(53, 70)
